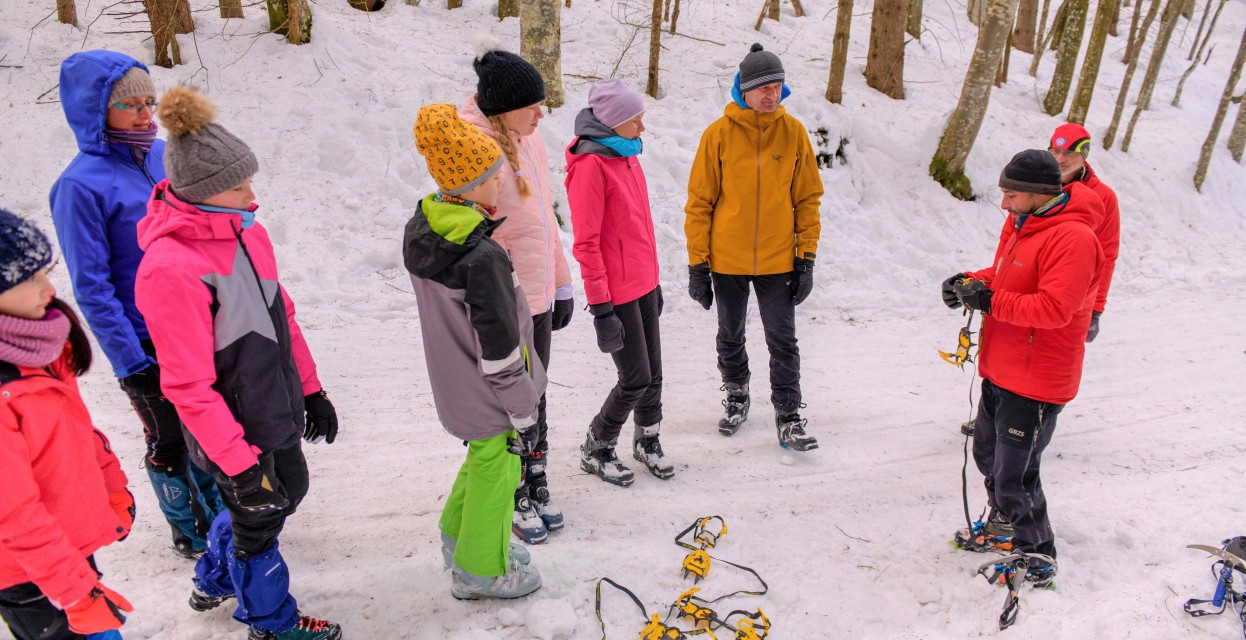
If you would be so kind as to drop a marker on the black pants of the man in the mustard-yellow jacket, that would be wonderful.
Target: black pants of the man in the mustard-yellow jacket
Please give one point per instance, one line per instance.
(778, 319)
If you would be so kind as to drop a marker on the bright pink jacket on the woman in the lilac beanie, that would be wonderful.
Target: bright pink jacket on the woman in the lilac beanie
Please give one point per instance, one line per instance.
(614, 226)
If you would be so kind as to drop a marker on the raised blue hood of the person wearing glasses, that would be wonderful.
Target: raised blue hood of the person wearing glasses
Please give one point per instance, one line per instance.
(87, 85)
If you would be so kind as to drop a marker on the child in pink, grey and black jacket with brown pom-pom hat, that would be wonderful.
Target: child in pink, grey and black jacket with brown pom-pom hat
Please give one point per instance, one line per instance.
(234, 363)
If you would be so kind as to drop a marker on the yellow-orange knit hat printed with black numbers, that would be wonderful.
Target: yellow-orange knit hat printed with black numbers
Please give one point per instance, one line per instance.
(460, 156)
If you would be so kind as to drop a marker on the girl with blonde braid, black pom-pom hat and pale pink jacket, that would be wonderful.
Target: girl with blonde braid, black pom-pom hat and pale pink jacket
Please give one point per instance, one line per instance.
(508, 109)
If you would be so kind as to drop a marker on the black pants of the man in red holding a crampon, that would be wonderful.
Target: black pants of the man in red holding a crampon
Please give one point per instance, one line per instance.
(1009, 440)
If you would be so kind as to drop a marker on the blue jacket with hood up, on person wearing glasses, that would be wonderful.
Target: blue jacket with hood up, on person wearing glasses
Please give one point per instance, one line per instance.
(97, 204)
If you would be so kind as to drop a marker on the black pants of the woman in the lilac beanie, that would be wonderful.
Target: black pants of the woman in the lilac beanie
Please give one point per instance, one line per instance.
(640, 369)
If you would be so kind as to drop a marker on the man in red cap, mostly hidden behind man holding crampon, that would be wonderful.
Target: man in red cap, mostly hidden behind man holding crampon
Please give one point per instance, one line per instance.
(1071, 145)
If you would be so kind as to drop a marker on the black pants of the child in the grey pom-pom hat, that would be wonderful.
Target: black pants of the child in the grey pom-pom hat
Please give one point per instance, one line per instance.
(255, 532)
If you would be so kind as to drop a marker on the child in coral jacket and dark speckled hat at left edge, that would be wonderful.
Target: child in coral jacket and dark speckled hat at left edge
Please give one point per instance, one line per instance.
(63, 494)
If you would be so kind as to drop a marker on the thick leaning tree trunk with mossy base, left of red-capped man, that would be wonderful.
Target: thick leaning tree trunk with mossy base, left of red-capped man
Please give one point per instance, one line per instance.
(948, 166)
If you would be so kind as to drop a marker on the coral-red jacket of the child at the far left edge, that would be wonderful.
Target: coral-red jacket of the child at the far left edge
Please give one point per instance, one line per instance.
(57, 473)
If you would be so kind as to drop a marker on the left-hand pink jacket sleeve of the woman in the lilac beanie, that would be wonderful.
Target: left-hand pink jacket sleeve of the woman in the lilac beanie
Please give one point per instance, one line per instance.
(586, 196)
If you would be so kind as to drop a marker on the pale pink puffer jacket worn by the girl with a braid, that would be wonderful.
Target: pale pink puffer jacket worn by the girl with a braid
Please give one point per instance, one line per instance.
(530, 233)
